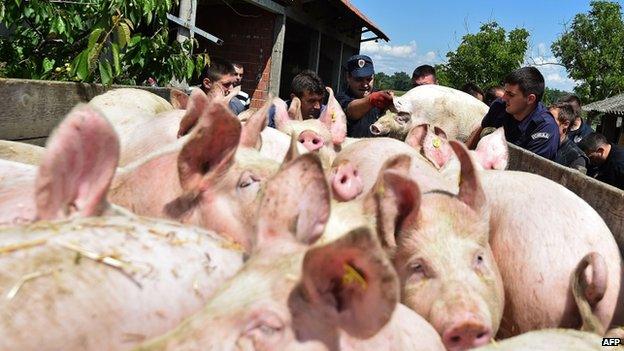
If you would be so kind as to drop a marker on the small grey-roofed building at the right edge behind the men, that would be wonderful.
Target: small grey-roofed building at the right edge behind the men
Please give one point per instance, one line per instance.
(611, 112)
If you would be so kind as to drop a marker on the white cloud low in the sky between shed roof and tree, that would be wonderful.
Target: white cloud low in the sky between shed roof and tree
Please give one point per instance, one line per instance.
(397, 58)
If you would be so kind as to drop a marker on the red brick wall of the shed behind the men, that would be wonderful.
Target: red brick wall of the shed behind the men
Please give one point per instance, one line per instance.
(247, 33)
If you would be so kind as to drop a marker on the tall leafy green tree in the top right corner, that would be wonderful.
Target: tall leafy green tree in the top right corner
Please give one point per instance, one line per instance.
(592, 51)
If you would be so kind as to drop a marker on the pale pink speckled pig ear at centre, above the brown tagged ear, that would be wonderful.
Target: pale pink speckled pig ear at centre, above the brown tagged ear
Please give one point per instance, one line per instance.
(296, 202)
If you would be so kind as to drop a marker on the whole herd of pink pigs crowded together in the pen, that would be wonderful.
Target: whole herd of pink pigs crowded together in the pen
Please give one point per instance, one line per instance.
(174, 225)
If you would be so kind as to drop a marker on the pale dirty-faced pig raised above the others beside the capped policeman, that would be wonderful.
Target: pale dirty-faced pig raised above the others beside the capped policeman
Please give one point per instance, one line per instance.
(456, 112)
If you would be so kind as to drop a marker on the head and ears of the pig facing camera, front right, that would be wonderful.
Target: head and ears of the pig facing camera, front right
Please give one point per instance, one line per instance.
(439, 247)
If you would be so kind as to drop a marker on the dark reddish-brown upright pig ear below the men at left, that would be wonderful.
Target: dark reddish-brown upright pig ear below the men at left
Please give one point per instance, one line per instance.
(210, 148)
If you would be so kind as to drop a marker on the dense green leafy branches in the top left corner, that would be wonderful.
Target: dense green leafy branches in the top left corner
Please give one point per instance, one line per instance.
(107, 41)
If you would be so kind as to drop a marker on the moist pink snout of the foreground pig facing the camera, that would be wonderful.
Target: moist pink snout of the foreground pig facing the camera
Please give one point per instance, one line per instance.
(466, 334)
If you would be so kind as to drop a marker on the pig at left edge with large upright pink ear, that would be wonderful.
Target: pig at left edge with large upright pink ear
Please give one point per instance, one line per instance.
(78, 166)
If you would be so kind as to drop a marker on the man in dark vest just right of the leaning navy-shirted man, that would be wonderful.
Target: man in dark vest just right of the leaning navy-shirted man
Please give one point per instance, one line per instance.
(568, 154)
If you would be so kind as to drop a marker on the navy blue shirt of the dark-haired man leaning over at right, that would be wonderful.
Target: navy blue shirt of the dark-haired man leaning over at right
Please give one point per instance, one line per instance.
(538, 132)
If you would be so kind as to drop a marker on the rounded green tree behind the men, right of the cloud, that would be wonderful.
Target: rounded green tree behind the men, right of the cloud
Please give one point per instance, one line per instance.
(484, 58)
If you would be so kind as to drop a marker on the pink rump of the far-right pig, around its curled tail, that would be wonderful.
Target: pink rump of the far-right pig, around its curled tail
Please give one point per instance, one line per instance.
(539, 232)
